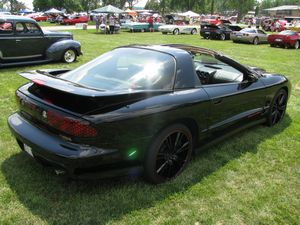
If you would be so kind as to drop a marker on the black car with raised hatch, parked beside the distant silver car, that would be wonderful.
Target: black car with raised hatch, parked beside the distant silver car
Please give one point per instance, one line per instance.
(221, 32)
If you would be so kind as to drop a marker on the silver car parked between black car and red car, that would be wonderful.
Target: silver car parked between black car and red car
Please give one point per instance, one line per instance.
(249, 35)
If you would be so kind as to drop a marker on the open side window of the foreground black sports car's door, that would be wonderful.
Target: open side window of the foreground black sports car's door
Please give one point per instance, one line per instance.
(213, 71)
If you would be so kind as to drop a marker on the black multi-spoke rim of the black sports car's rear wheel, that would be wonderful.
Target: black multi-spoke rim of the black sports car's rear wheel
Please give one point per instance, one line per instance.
(173, 154)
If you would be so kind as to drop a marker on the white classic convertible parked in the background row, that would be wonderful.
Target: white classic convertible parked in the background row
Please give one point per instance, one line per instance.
(179, 29)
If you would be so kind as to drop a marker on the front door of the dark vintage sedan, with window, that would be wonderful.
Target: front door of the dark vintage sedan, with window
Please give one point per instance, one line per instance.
(30, 40)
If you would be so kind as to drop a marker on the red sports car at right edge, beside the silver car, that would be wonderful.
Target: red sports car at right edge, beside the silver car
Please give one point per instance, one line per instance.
(287, 38)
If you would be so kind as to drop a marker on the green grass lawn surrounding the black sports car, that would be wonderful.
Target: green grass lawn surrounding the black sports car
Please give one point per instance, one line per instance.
(253, 178)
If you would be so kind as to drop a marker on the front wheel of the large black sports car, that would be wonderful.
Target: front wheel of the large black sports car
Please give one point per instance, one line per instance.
(277, 108)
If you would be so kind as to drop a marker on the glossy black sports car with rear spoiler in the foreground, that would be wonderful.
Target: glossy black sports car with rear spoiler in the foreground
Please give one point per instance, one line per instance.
(141, 108)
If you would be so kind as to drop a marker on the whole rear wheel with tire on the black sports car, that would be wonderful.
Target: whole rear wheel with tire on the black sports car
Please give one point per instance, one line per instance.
(169, 154)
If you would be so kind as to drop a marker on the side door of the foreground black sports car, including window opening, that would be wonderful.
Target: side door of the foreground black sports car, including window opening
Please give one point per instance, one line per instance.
(234, 100)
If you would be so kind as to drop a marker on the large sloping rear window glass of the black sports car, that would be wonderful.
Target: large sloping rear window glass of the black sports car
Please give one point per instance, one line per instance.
(126, 69)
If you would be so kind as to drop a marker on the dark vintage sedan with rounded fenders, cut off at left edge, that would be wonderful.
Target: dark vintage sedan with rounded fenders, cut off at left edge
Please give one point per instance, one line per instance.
(23, 42)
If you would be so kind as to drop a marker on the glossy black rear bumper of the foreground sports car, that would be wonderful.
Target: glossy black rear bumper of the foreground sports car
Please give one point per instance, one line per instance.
(76, 160)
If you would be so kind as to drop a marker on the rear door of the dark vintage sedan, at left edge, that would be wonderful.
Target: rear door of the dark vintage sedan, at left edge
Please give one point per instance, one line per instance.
(7, 42)
